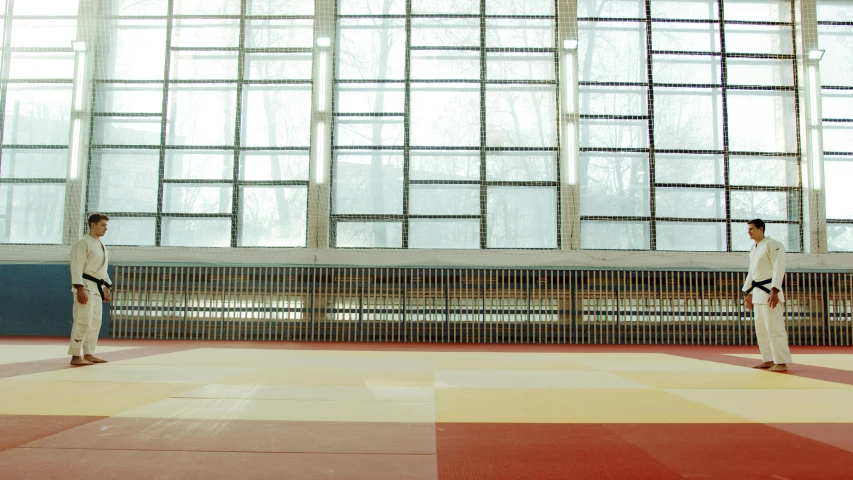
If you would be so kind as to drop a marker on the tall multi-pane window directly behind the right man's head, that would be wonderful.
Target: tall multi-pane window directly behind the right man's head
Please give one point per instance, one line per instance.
(688, 124)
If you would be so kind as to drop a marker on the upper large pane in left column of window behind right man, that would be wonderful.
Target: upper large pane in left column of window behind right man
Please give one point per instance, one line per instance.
(612, 52)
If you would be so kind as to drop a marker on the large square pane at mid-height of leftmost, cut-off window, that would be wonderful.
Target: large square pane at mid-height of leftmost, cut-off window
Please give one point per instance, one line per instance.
(37, 115)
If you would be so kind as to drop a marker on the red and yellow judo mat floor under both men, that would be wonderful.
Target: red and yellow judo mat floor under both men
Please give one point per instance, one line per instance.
(233, 410)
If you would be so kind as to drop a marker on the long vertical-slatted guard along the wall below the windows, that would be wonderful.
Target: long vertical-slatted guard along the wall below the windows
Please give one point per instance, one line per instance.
(466, 305)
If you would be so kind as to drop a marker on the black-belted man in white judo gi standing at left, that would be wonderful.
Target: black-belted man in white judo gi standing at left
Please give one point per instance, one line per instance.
(91, 287)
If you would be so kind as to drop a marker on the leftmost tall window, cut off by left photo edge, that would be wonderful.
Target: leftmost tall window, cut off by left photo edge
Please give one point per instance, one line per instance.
(35, 118)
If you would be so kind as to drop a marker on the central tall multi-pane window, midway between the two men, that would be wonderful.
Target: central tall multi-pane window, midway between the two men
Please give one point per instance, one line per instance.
(445, 125)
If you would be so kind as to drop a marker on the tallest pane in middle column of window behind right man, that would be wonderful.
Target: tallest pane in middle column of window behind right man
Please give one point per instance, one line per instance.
(689, 119)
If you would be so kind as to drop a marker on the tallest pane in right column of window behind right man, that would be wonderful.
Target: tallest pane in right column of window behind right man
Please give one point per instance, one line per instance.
(762, 121)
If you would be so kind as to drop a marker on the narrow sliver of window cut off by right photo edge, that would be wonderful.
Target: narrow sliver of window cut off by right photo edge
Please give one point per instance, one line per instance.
(835, 37)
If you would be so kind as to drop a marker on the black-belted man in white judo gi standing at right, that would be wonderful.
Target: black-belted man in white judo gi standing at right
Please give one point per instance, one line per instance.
(763, 288)
